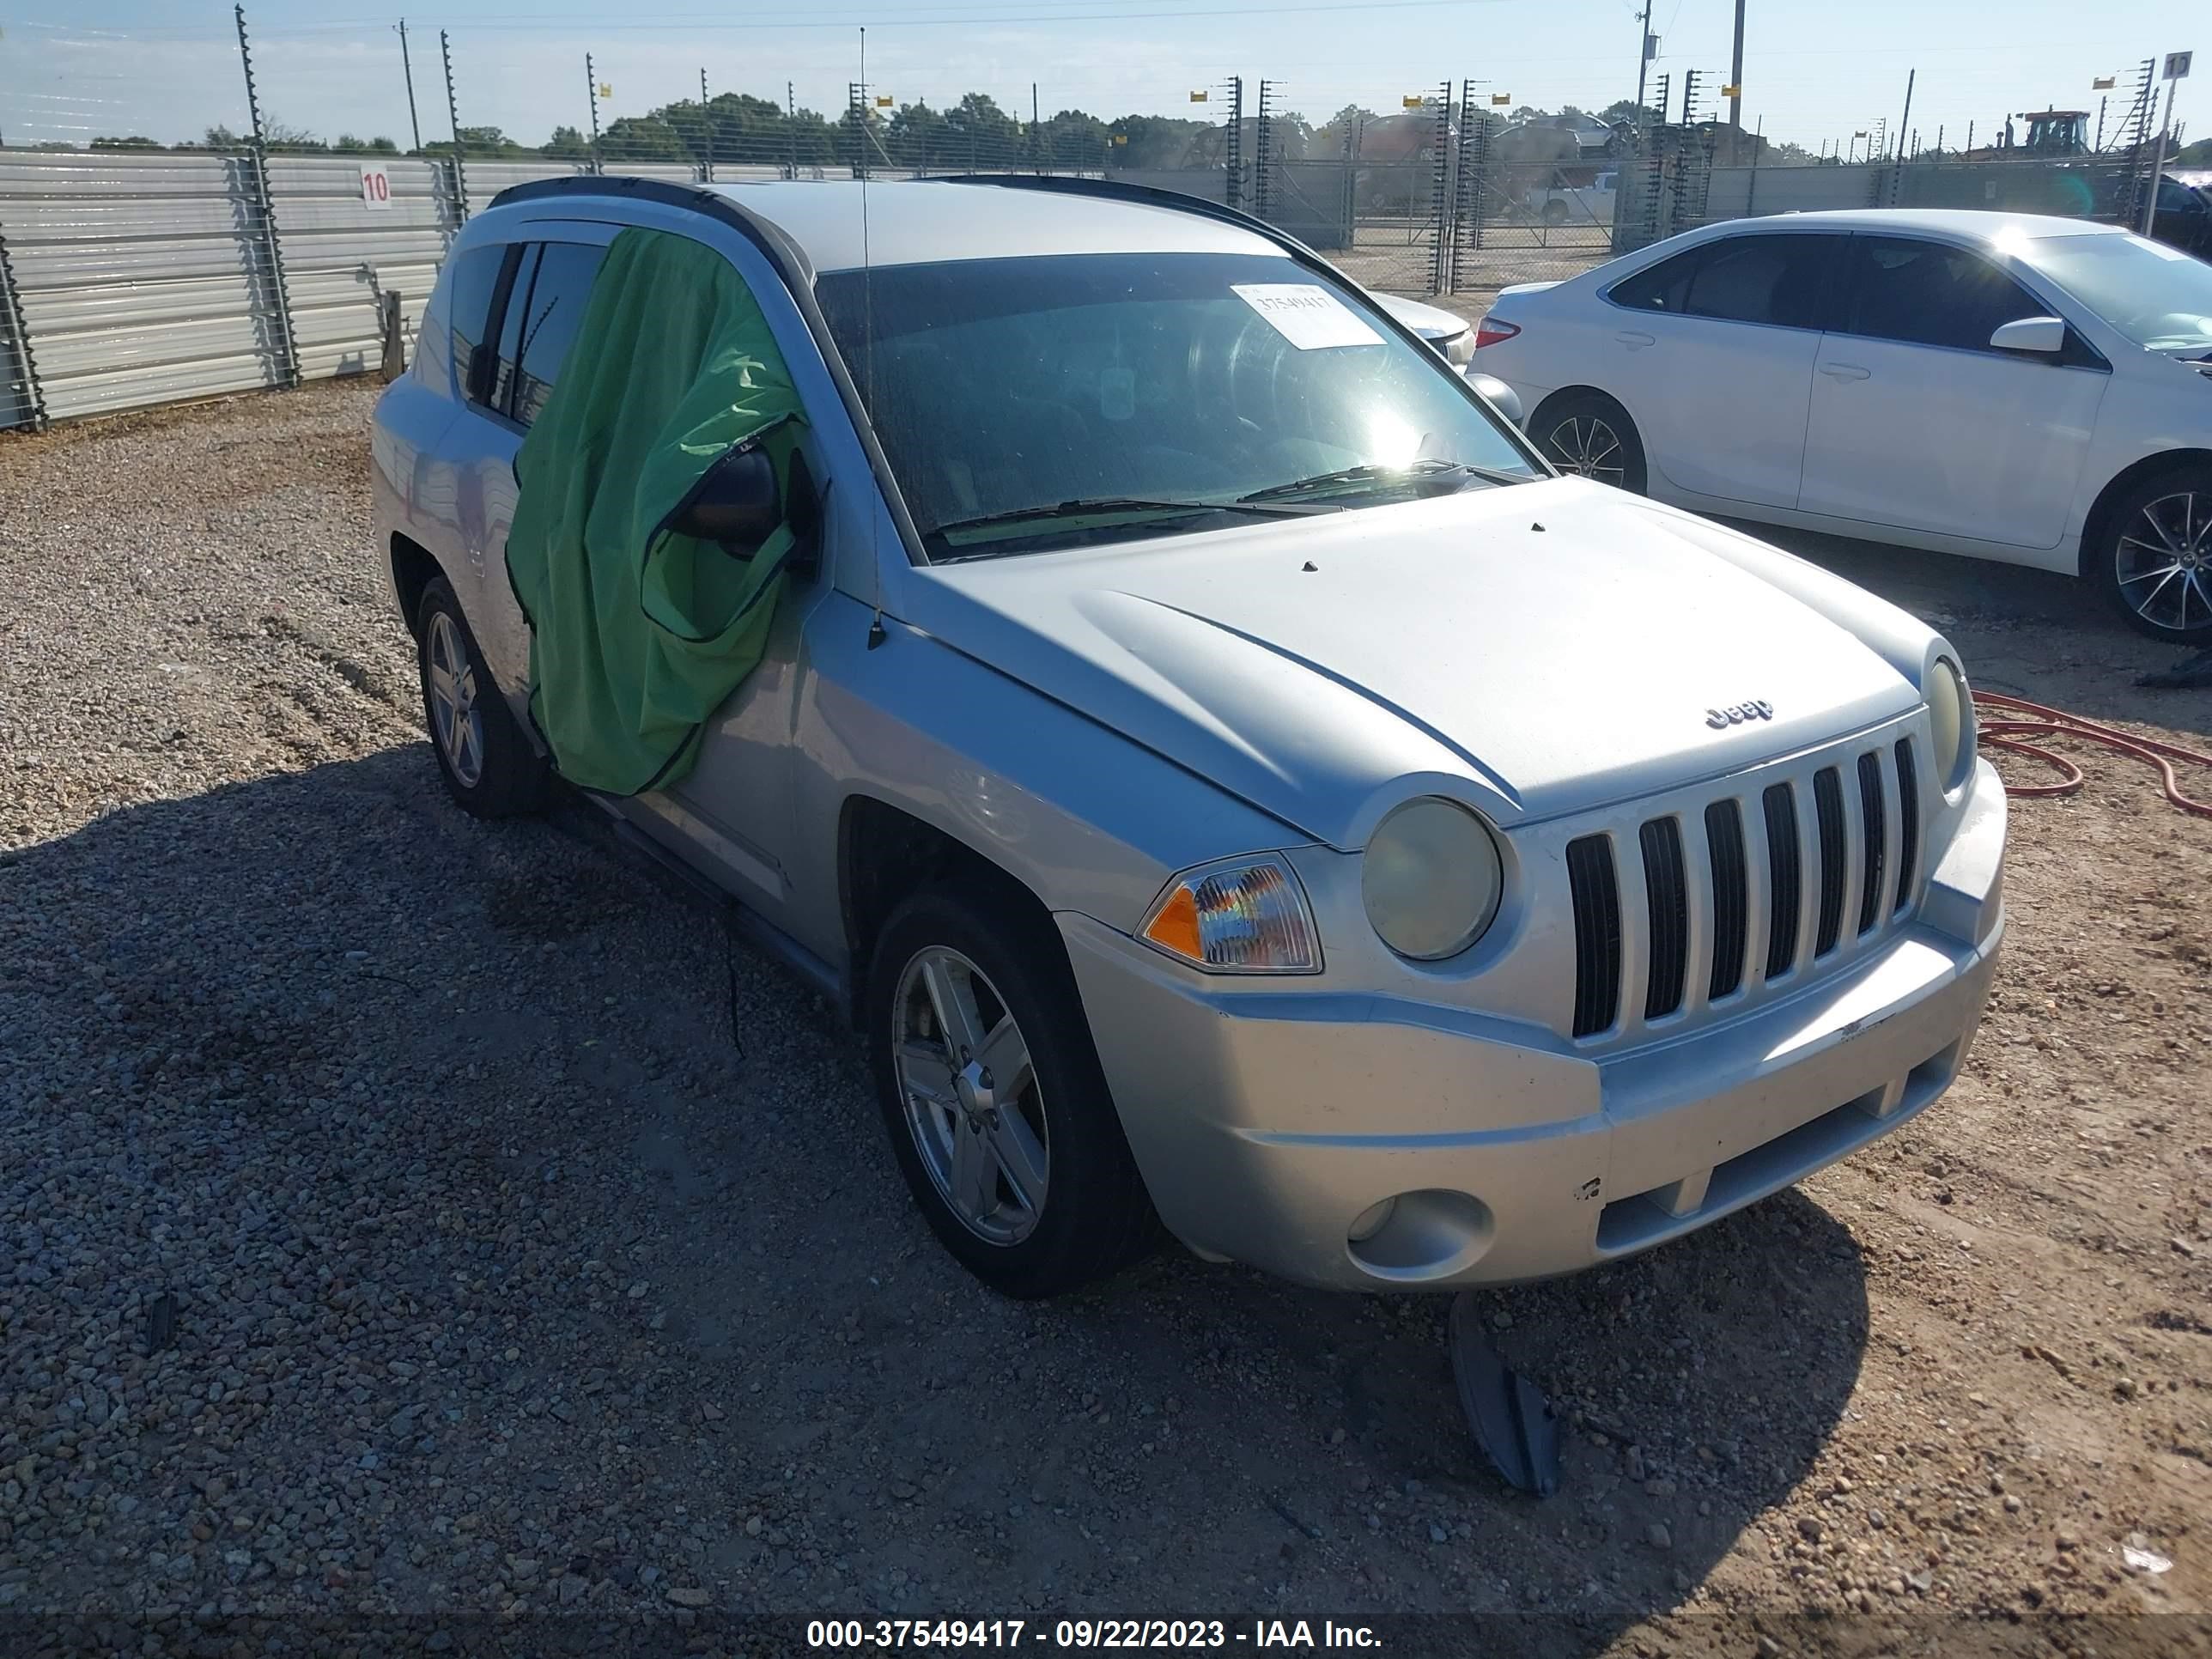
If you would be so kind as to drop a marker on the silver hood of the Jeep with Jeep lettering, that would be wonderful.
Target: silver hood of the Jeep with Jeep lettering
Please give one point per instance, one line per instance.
(1536, 649)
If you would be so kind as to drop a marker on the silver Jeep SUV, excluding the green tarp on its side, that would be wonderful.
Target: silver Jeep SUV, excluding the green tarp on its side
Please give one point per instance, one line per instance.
(1233, 784)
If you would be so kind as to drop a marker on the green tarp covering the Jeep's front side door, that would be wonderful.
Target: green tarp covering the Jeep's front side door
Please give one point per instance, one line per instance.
(640, 634)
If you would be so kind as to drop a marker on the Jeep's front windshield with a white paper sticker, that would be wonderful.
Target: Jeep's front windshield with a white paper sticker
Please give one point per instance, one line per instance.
(1078, 399)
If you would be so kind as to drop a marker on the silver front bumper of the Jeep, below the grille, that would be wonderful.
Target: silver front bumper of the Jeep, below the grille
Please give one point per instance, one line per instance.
(1271, 1120)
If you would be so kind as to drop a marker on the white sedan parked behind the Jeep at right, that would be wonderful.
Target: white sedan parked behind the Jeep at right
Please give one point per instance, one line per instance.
(1999, 386)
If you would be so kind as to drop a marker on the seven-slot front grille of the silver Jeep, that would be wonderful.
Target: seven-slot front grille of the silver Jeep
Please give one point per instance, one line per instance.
(1726, 893)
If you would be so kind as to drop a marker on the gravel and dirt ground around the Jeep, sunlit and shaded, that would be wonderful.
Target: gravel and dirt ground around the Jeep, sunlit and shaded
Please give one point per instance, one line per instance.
(505, 1282)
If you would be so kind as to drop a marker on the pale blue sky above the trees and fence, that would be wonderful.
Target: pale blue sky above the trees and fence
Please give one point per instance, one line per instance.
(1813, 74)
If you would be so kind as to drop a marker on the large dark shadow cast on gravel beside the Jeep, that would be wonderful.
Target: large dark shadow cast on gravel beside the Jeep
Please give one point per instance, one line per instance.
(368, 1085)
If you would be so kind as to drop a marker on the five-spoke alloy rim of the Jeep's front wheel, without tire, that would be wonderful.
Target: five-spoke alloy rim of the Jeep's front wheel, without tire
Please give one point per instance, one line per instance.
(972, 1096)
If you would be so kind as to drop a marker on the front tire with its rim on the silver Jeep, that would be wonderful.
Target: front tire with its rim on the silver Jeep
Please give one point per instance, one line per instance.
(994, 1098)
